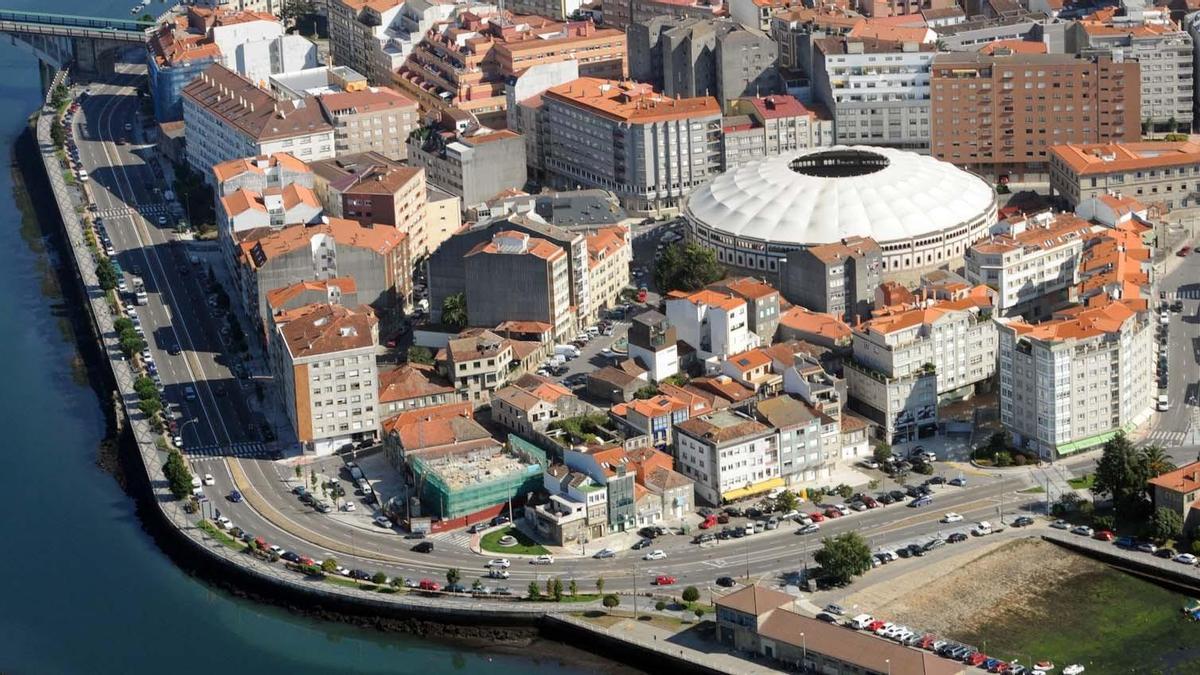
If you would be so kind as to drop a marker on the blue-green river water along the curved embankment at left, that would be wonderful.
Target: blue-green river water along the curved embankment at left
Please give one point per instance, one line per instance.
(83, 589)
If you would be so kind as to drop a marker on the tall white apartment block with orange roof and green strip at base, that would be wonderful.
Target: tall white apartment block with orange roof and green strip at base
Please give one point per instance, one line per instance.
(1071, 384)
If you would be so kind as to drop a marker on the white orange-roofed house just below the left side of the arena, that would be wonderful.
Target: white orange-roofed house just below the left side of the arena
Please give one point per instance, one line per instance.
(716, 325)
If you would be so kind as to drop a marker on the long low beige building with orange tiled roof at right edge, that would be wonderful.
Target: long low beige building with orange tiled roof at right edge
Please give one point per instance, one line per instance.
(1167, 174)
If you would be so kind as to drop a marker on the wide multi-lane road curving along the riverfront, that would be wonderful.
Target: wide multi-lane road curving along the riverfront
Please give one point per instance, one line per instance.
(124, 181)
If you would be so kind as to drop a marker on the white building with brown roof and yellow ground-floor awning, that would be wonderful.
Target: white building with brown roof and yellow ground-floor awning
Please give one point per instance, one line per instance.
(728, 456)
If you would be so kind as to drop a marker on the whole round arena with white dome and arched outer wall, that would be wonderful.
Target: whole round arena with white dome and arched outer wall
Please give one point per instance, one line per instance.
(923, 213)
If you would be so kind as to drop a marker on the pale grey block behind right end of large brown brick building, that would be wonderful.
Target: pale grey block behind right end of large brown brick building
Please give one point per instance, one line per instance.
(1161, 49)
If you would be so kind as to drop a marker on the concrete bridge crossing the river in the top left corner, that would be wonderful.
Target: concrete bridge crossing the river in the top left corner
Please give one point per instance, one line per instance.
(87, 44)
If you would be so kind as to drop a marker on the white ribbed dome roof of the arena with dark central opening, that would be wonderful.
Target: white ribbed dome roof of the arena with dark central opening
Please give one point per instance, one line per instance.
(825, 195)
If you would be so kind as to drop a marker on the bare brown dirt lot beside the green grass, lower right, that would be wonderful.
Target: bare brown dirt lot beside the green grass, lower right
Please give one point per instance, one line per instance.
(958, 594)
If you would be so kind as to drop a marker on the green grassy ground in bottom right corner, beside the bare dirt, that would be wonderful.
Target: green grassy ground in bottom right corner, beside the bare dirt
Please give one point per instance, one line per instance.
(1106, 620)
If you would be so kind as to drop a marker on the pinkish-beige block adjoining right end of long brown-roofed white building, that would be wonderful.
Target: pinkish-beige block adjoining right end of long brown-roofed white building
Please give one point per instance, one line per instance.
(371, 121)
